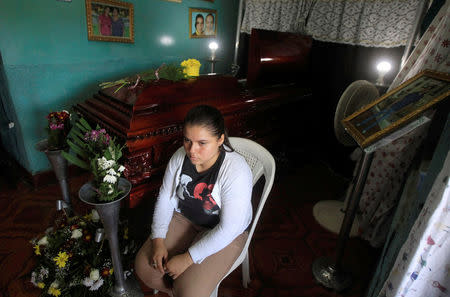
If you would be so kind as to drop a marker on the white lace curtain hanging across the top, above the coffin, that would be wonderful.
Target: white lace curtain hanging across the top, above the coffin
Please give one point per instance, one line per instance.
(378, 23)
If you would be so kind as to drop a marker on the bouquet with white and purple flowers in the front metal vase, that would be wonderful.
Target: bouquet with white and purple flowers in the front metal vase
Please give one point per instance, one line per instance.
(96, 151)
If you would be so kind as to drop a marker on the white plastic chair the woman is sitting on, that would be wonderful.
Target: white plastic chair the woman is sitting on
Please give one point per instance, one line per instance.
(261, 163)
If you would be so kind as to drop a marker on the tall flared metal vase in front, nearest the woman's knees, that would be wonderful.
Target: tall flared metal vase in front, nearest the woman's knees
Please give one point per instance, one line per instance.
(109, 215)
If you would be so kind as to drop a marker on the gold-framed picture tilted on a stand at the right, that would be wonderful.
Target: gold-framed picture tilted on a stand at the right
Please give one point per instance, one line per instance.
(397, 108)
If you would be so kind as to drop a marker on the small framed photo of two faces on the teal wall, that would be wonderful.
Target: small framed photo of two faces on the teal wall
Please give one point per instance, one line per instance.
(202, 23)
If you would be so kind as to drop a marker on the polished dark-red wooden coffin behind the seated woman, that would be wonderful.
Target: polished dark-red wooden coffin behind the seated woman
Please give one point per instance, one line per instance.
(149, 118)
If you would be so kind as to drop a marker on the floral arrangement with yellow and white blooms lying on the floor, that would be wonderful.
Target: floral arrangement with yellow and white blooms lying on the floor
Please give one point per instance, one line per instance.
(69, 262)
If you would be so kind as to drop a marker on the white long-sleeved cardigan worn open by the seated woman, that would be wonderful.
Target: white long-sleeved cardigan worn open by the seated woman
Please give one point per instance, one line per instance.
(232, 192)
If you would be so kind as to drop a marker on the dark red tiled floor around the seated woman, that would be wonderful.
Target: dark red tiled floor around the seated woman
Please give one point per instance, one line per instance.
(285, 244)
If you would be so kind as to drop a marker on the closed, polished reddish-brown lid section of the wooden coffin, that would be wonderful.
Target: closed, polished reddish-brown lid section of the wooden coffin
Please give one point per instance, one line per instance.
(134, 114)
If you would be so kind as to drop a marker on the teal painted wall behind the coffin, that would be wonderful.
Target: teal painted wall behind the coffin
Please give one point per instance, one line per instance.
(51, 65)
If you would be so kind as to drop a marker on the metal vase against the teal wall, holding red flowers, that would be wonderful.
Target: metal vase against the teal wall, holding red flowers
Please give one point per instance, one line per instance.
(59, 166)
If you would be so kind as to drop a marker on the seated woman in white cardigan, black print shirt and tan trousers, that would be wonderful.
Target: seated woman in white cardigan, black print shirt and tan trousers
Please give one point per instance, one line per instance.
(202, 212)
